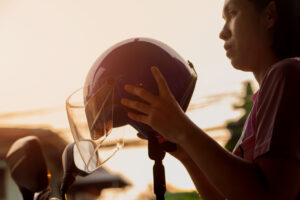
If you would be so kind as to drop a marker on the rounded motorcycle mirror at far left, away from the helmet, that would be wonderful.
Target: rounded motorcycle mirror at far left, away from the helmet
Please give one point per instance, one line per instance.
(27, 165)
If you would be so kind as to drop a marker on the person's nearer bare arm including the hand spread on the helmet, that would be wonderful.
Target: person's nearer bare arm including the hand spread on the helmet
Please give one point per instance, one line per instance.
(231, 175)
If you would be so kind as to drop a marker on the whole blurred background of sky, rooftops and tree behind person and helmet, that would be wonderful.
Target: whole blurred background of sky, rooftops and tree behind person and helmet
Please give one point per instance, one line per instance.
(46, 49)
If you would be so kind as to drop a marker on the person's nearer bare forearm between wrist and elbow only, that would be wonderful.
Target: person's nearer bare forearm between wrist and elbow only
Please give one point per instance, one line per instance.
(231, 175)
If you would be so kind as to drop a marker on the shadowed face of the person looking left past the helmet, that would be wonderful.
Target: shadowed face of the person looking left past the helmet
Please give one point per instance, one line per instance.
(247, 39)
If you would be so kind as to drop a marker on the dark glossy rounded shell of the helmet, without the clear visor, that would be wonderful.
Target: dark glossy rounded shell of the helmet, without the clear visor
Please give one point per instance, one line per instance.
(129, 62)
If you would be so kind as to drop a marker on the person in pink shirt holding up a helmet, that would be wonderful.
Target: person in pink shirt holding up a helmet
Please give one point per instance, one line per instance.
(263, 37)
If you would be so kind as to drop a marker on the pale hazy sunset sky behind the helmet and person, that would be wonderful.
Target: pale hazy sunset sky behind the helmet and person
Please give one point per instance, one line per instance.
(48, 46)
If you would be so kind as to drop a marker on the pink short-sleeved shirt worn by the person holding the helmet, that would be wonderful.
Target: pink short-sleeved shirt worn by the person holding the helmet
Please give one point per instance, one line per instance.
(273, 126)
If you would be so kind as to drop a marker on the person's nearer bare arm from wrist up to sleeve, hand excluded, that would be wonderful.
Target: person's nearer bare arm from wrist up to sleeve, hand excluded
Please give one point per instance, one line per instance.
(269, 177)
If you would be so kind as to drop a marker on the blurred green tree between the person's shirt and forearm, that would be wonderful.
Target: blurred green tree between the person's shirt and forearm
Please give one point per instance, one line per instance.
(236, 127)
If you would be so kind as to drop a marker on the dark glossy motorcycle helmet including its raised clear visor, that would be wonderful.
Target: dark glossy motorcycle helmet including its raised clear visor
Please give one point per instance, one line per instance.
(100, 111)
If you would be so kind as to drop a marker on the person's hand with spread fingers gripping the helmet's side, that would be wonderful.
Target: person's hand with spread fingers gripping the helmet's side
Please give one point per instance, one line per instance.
(162, 113)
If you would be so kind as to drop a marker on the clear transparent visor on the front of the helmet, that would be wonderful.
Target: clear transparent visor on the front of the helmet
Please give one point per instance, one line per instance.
(91, 123)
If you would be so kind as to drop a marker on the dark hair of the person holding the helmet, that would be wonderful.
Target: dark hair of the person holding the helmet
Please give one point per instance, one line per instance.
(287, 28)
